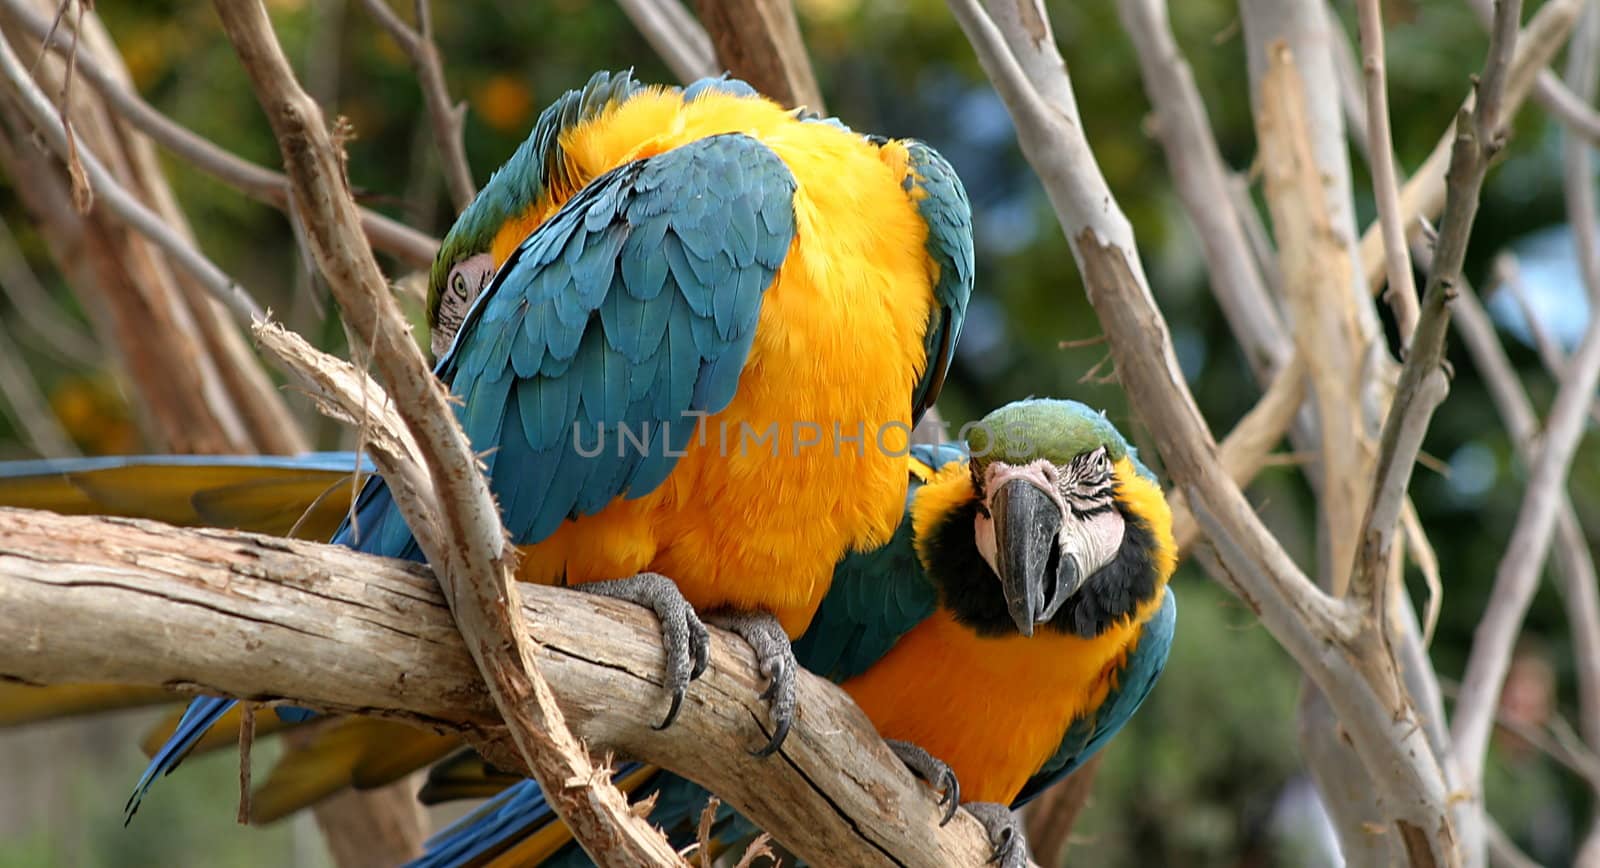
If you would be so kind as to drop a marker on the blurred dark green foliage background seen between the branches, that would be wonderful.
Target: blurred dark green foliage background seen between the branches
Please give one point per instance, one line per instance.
(1196, 778)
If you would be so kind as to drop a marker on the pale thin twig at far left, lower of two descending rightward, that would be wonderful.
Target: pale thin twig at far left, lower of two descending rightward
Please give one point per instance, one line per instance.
(134, 212)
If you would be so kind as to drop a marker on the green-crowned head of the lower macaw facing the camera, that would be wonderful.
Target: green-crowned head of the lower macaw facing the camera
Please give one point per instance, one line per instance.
(1071, 523)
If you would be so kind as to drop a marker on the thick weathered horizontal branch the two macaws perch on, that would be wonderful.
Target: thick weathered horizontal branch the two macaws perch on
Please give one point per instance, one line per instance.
(266, 619)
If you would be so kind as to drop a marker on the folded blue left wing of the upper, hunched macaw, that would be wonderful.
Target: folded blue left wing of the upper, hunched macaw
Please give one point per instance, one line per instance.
(620, 289)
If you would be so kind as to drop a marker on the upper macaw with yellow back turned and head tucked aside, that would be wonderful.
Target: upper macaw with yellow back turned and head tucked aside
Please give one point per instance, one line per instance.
(654, 273)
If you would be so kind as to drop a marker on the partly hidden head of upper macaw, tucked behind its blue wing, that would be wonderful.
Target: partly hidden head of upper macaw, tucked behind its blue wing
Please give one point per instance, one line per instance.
(470, 255)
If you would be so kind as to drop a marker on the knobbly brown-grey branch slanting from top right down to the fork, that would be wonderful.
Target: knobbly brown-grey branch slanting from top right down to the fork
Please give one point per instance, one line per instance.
(1423, 384)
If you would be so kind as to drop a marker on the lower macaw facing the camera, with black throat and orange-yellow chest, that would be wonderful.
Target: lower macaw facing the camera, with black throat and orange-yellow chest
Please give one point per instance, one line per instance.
(1010, 629)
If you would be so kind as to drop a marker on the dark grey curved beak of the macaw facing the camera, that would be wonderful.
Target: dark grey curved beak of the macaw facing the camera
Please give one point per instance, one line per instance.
(1034, 574)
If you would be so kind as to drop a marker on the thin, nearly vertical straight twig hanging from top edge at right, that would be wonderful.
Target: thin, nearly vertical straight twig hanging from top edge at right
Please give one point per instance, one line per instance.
(1382, 158)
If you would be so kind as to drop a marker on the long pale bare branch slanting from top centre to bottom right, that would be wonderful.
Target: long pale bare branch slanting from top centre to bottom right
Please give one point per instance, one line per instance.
(1018, 54)
